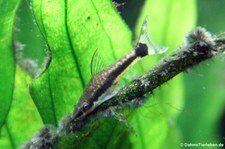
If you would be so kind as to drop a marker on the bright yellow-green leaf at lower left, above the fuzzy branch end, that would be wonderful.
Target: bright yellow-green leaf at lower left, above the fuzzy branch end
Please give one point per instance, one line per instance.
(23, 119)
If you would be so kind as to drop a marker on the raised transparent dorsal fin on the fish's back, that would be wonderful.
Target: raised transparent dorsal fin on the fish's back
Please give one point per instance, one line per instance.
(97, 63)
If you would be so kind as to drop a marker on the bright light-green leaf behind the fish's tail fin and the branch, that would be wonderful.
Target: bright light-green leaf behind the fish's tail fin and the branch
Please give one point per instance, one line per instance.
(154, 119)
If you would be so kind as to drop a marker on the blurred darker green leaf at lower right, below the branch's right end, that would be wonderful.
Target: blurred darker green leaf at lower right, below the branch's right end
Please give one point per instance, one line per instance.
(205, 106)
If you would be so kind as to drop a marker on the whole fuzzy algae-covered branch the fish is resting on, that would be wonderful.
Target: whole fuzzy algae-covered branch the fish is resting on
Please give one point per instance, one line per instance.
(199, 46)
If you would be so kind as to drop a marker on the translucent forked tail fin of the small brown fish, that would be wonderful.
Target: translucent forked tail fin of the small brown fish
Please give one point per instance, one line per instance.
(146, 39)
